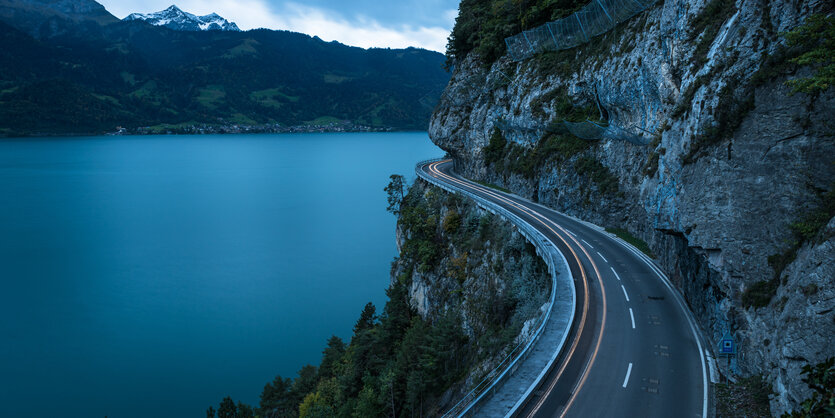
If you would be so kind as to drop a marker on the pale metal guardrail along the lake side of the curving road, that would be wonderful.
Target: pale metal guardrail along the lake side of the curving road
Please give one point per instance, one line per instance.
(549, 254)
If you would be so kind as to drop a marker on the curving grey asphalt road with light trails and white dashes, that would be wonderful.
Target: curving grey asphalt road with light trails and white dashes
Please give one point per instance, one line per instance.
(634, 350)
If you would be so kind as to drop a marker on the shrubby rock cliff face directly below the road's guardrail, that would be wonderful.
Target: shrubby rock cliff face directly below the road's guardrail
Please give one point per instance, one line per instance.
(458, 259)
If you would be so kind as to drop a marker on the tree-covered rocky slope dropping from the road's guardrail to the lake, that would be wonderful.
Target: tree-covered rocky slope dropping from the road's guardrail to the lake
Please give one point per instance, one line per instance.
(399, 362)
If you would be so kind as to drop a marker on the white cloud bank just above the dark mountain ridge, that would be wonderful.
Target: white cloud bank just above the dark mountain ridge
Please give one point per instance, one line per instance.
(359, 31)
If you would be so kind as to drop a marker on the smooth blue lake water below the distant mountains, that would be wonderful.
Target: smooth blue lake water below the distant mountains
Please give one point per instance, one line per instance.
(152, 276)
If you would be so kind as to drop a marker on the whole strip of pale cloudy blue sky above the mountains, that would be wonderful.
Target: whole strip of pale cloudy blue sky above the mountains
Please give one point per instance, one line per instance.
(364, 23)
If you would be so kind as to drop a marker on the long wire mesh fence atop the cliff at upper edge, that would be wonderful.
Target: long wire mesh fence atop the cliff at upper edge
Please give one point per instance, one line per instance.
(596, 18)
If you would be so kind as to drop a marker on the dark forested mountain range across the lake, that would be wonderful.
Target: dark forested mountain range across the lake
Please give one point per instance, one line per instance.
(69, 66)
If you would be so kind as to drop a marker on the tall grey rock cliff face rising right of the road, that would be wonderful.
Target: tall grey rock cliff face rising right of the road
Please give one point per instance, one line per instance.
(732, 159)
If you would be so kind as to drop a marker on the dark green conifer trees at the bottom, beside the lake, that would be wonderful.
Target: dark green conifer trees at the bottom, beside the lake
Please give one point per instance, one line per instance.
(394, 363)
